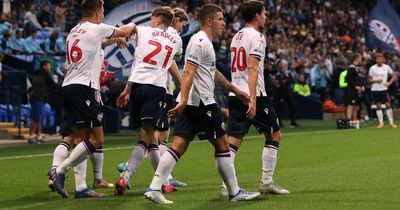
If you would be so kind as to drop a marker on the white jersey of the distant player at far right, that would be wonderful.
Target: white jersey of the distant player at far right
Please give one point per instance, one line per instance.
(380, 72)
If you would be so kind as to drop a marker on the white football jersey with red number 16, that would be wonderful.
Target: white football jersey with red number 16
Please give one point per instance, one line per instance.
(84, 56)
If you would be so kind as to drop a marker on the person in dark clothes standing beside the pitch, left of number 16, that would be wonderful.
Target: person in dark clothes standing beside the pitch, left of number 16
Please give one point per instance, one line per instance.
(38, 95)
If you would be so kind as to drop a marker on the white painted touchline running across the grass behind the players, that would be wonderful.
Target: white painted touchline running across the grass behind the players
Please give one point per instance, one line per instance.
(130, 147)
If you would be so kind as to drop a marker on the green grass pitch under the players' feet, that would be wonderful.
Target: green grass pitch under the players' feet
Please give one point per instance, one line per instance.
(323, 168)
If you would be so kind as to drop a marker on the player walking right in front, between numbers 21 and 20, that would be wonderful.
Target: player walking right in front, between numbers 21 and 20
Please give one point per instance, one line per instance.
(198, 110)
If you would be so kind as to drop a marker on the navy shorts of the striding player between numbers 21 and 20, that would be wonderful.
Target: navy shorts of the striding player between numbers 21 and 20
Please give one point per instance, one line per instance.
(207, 120)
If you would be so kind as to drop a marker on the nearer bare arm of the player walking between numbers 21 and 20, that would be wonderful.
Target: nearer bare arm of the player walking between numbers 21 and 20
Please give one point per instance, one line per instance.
(187, 81)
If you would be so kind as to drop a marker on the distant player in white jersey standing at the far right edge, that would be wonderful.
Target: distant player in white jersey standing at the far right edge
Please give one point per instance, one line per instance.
(378, 76)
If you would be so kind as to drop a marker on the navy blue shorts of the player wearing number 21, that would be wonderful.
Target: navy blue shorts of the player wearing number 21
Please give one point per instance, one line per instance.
(147, 102)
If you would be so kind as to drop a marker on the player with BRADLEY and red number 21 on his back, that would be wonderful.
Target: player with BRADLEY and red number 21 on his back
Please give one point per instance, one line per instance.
(156, 48)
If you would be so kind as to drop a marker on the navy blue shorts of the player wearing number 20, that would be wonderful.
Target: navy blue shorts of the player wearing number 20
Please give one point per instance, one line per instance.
(265, 119)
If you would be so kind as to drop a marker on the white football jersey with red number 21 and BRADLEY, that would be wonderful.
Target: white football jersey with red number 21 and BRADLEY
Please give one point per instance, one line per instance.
(153, 55)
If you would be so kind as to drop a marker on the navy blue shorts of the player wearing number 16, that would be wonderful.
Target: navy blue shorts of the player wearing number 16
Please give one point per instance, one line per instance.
(82, 106)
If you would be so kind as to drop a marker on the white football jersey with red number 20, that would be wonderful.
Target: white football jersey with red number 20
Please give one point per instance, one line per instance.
(247, 42)
